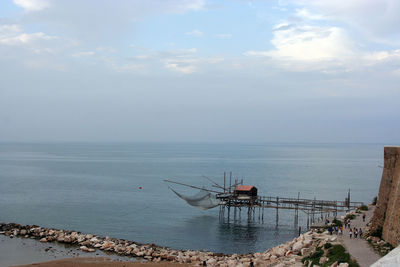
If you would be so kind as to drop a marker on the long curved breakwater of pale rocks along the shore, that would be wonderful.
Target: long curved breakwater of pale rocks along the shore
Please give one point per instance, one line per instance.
(289, 254)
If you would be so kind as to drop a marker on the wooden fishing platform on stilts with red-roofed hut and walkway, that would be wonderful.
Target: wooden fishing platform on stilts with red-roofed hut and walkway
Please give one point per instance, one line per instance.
(236, 196)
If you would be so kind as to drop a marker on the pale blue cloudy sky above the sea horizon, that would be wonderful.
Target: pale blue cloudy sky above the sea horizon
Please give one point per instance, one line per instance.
(210, 71)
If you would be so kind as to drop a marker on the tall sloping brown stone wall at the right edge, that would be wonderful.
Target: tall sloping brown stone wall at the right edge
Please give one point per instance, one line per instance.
(387, 212)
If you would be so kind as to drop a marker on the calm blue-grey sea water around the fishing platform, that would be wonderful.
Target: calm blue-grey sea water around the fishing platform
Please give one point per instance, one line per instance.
(94, 188)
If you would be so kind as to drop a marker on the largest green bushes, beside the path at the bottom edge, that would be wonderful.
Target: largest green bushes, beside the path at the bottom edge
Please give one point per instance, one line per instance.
(335, 253)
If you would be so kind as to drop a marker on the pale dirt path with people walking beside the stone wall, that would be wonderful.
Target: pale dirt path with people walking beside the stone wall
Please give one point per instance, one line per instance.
(358, 248)
